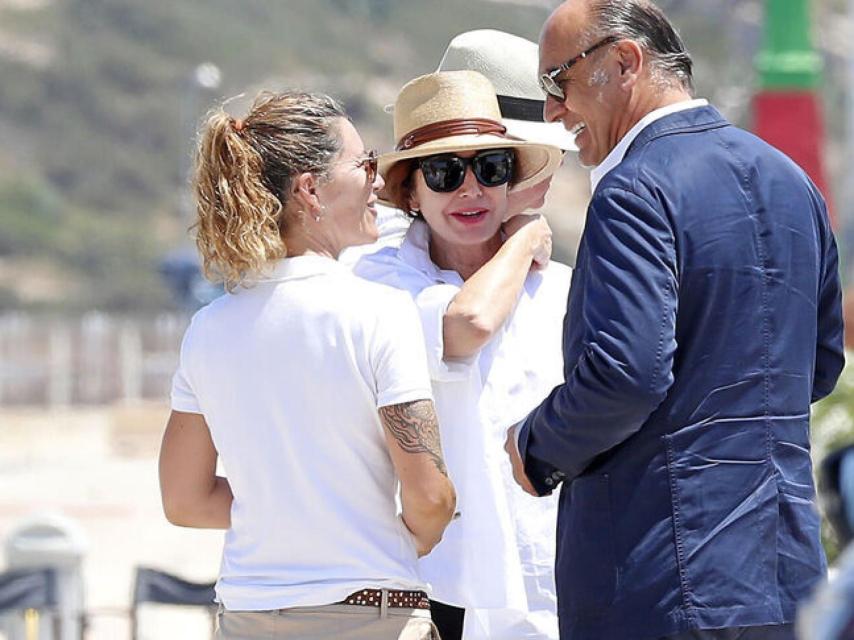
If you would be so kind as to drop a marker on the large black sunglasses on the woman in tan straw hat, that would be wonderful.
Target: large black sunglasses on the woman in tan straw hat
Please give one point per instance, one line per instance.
(446, 172)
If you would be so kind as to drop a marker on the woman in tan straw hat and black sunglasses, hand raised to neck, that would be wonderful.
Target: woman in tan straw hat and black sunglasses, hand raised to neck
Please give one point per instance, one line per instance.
(491, 308)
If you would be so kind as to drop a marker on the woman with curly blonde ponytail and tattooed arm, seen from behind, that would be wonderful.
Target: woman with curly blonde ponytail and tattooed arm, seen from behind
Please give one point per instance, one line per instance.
(309, 384)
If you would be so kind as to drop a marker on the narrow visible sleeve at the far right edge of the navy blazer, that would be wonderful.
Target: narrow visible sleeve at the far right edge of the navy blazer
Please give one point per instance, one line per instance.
(830, 350)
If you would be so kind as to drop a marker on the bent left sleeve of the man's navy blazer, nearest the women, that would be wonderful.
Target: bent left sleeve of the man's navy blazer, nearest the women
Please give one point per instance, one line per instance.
(627, 282)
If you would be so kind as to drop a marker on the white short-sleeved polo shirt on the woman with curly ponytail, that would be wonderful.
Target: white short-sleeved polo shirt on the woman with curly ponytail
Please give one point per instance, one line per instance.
(289, 374)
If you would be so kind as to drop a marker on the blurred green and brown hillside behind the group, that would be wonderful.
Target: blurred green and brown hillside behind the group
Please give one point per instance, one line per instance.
(100, 100)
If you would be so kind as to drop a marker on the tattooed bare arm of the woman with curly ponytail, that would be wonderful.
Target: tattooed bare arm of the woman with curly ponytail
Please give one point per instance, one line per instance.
(427, 495)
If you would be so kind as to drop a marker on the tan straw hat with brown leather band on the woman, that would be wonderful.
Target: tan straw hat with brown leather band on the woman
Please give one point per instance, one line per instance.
(455, 111)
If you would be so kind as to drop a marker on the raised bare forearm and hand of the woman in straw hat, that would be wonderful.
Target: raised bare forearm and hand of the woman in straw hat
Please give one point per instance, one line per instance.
(490, 294)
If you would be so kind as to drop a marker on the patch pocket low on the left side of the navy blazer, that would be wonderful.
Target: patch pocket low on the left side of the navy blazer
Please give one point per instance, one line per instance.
(587, 548)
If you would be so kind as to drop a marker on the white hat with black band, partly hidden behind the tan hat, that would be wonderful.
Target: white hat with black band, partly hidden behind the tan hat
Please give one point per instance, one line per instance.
(510, 64)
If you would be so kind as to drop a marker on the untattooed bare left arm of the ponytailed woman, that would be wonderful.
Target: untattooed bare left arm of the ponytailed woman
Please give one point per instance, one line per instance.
(193, 495)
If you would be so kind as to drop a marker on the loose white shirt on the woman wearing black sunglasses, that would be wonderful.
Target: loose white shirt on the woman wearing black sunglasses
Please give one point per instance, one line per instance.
(497, 558)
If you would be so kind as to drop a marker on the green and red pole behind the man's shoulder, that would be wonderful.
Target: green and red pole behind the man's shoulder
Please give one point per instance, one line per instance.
(787, 110)
